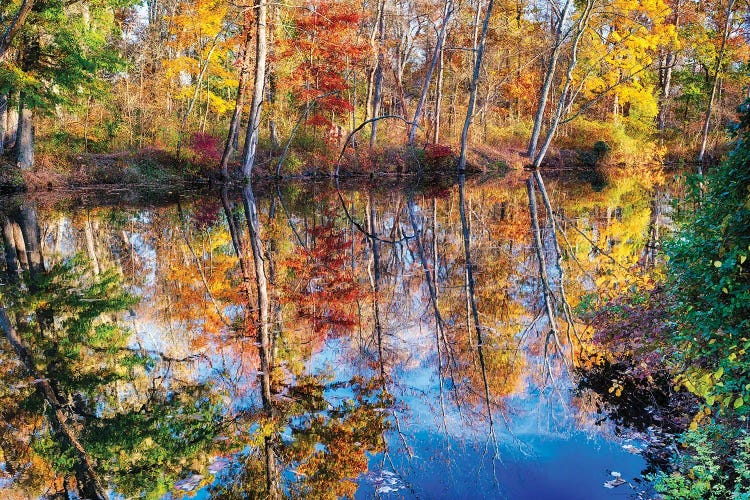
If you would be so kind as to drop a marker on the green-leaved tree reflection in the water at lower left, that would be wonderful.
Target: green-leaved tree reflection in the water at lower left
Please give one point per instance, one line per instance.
(89, 408)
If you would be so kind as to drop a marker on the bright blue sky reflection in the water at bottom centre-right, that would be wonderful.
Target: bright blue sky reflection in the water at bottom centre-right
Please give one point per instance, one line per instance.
(543, 455)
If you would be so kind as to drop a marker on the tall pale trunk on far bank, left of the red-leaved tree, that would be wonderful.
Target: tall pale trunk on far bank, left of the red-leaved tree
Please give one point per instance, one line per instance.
(253, 125)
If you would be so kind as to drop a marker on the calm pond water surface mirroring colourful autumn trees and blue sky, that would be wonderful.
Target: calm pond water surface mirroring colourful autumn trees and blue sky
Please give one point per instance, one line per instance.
(314, 341)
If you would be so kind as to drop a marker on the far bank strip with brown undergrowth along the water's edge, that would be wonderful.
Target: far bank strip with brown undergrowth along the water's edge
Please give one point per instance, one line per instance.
(158, 169)
